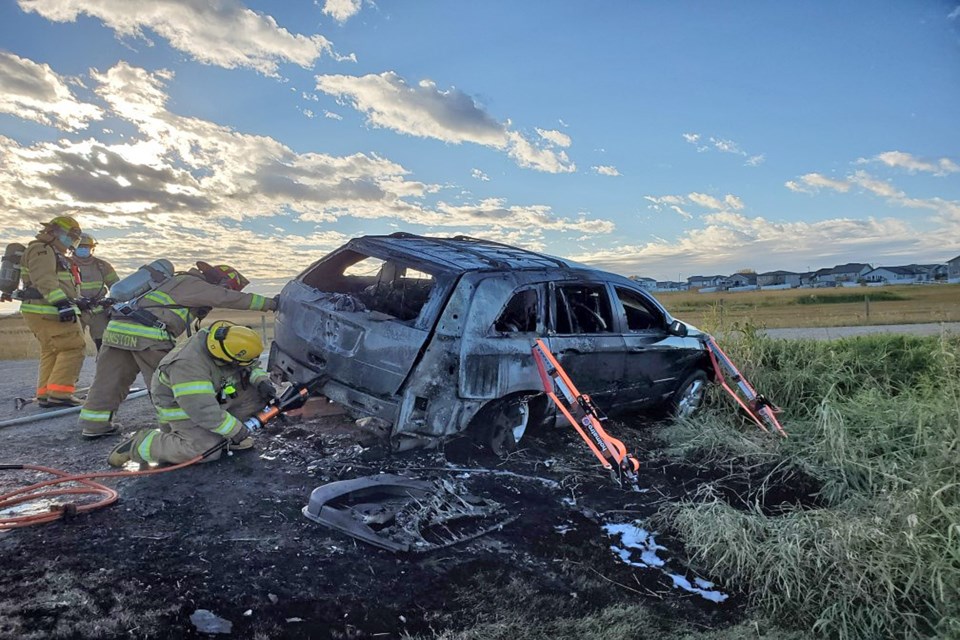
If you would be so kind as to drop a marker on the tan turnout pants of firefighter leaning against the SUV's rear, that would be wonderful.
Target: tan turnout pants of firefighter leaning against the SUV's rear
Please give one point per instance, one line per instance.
(116, 371)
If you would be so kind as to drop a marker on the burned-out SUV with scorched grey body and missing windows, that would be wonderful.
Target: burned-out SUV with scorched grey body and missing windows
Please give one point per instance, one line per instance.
(434, 336)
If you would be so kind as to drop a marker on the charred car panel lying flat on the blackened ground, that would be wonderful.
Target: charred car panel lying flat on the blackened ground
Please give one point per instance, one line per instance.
(402, 514)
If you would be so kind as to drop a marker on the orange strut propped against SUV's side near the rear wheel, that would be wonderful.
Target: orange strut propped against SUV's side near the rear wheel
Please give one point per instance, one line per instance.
(584, 416)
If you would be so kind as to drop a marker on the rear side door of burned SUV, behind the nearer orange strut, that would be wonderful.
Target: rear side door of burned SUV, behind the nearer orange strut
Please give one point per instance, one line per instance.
(582, 335)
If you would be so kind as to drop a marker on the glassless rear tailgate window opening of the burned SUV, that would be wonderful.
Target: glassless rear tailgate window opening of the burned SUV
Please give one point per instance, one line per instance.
(387, 286)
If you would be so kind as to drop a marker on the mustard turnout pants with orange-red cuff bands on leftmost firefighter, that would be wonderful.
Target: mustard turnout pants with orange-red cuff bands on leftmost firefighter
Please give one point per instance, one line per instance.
(61, 355)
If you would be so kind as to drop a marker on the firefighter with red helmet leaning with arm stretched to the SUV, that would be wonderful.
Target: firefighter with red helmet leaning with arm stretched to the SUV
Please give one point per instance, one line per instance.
(138, 340)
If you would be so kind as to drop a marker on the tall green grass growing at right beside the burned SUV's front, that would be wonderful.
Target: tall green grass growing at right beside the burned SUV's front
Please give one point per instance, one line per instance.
(876, 422)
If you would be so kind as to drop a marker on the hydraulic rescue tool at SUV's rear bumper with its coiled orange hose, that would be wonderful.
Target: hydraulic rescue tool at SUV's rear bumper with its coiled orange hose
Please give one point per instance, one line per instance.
(293, 398)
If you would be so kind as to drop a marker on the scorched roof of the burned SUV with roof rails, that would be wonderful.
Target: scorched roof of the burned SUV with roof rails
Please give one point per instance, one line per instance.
(461, 253)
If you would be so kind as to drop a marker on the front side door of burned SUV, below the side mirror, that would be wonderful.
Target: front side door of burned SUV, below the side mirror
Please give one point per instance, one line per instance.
(654, 360)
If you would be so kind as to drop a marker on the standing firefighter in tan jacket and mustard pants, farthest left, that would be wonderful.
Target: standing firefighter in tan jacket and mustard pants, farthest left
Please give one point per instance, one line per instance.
(50, 312)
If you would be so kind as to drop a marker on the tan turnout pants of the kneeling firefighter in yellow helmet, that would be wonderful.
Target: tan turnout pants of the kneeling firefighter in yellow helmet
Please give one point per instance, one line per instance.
(176, 442)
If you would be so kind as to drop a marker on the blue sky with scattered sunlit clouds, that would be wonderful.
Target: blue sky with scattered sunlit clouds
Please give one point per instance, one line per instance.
(654, 138)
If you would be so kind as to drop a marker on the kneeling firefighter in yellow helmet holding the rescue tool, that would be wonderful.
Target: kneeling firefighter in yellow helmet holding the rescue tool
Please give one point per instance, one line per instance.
(203, 392)
